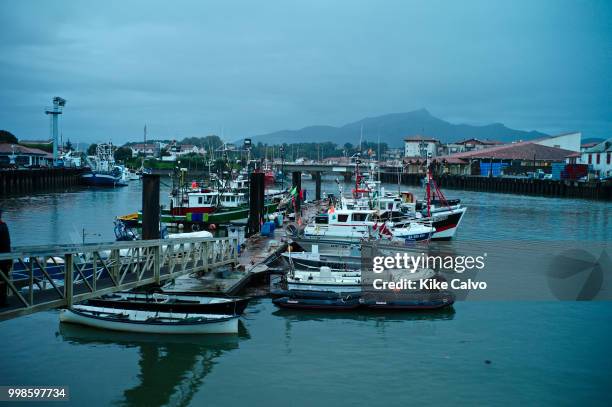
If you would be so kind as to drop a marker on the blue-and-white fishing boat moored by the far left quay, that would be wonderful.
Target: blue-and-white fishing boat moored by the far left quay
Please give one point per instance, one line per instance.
(103, 171)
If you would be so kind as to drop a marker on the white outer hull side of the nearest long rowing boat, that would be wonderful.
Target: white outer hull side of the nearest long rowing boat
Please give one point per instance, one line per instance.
(222, 326)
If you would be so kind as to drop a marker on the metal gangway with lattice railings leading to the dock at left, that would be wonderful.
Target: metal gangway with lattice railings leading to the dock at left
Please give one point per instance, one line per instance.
(47, 277)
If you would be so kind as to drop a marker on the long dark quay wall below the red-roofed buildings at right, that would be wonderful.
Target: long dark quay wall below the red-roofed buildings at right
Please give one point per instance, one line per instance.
(522, 186)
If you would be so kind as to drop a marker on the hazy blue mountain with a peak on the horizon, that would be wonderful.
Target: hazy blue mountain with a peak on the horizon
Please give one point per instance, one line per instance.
(393, 128)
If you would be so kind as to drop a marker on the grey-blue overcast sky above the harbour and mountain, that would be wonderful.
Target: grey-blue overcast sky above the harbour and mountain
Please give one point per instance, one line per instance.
(192, 68)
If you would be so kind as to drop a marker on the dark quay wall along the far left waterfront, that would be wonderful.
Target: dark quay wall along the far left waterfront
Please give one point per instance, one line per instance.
(13, 182)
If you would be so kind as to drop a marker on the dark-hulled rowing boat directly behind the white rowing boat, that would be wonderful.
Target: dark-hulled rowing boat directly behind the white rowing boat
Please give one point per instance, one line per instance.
(181, 302)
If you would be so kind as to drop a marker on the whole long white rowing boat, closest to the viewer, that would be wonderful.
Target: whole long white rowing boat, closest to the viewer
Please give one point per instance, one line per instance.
(152, 322)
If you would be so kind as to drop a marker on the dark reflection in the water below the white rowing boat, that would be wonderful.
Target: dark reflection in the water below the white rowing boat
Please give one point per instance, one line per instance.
(172, 368)
